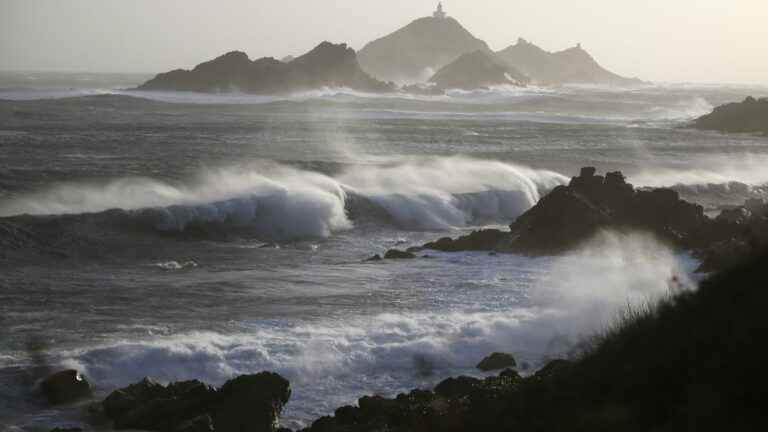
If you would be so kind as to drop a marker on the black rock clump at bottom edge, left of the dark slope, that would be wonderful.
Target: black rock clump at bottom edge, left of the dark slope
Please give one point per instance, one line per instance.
(247, 403)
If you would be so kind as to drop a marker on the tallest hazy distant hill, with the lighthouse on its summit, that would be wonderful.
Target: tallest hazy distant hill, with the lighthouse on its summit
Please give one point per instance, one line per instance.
(416, 51)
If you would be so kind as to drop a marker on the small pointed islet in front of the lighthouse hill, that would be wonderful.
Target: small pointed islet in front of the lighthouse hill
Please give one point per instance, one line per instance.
(478, 69)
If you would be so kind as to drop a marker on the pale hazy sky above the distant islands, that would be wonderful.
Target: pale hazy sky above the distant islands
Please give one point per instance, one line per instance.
(661, 40)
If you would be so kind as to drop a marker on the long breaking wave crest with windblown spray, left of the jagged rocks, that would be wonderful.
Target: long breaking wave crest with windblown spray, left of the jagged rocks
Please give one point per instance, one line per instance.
(288, 203)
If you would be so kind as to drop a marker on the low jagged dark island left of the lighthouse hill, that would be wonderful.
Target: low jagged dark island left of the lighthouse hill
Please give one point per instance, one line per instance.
(328, 65)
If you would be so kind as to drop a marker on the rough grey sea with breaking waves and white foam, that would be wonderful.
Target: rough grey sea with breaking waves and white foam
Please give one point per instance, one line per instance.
(179, 236)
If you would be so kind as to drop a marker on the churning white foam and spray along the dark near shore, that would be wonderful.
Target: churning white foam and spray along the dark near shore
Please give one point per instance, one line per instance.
(331, 362)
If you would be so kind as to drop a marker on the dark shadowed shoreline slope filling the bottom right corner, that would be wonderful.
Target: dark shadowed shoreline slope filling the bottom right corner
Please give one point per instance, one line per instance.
(693, 362)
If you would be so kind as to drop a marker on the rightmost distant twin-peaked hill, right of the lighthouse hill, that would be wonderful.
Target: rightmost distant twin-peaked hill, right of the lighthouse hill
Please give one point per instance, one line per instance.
(574, 65)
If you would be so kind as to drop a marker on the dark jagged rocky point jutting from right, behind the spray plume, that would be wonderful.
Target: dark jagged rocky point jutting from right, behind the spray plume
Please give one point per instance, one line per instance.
(572, 214)
